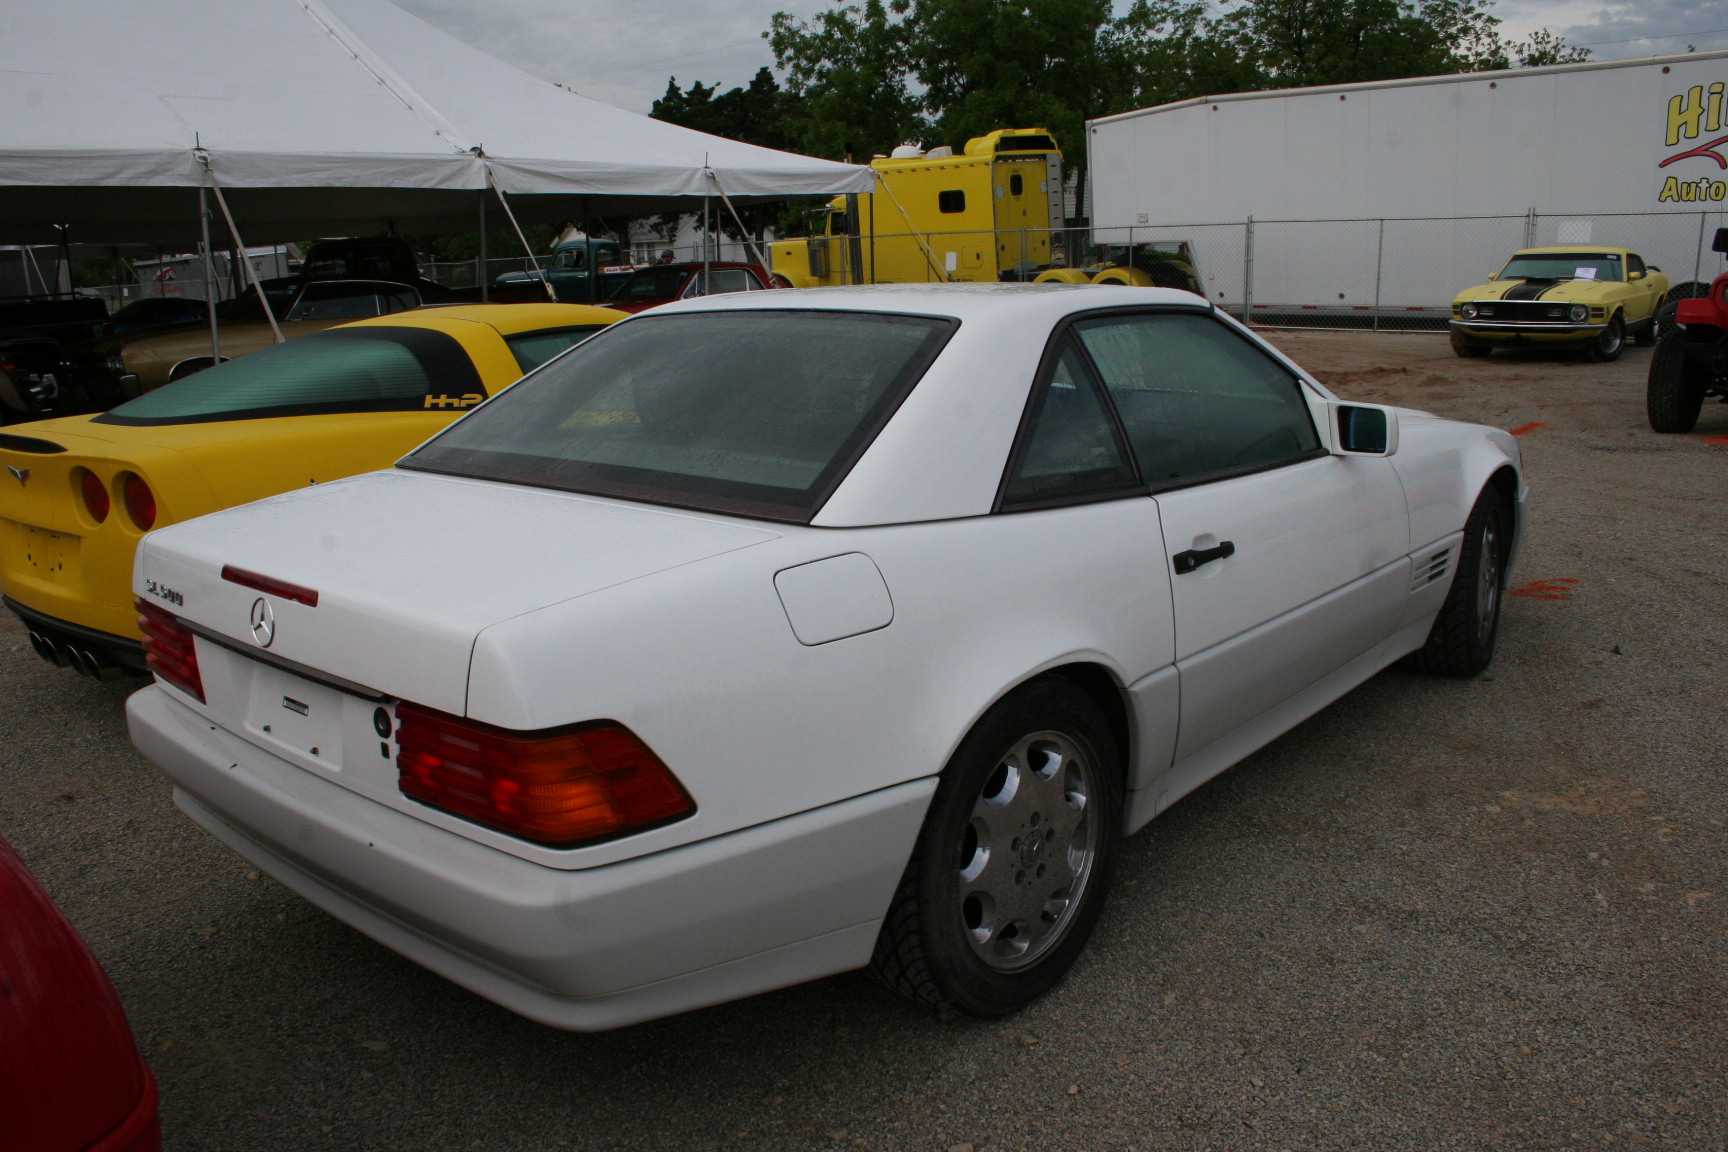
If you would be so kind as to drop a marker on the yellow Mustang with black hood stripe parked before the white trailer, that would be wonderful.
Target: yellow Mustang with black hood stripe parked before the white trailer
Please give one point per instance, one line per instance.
(1561, 298)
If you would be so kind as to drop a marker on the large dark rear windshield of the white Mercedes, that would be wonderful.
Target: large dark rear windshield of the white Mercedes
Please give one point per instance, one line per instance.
(756, 412)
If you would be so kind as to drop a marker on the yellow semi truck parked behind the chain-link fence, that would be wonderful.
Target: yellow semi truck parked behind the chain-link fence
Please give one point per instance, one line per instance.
(994, 212)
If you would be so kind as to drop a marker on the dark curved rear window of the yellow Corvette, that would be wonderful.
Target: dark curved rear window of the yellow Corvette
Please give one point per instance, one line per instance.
(352, 370)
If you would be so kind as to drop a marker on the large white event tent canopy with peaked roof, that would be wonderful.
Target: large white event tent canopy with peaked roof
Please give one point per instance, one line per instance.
(322, 118)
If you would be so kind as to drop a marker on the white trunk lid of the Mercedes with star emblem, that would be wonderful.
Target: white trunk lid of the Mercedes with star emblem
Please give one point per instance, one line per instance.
(409, 569)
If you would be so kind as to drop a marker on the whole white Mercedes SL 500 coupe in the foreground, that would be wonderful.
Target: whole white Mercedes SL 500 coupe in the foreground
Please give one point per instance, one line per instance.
(770, 636)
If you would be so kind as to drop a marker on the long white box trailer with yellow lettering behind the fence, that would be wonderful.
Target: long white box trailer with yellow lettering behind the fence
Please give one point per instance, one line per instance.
(1388, 198)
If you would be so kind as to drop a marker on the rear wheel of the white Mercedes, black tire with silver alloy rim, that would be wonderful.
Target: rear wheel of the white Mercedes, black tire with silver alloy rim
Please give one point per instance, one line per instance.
(989, 849)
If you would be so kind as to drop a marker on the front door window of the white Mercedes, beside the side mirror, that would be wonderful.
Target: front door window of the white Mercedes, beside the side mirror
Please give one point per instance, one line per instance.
(1195, 396)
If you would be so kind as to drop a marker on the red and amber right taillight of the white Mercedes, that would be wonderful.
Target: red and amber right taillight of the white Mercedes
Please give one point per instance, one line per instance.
(556, 788)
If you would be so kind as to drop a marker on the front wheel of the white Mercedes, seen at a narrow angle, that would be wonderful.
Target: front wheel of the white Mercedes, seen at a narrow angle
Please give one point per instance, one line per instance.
(1463, 640)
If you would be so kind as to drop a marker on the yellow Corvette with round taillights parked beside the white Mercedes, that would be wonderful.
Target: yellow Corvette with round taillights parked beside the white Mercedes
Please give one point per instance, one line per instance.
(80, 491)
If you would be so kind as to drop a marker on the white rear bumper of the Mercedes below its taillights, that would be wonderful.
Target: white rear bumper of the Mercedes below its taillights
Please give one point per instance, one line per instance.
(595, 949)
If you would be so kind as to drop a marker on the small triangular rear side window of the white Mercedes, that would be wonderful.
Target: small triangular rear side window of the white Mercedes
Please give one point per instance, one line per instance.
(1070, 450)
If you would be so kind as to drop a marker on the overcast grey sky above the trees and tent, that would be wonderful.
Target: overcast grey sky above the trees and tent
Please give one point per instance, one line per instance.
(623, 53)
